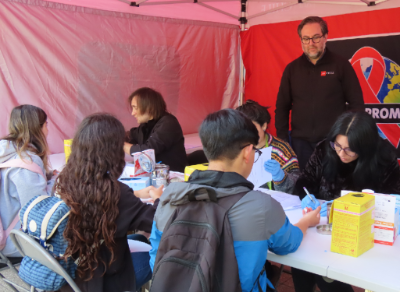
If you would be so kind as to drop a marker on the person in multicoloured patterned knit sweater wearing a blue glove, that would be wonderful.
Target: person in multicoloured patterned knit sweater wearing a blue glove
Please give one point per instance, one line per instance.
(283, 164)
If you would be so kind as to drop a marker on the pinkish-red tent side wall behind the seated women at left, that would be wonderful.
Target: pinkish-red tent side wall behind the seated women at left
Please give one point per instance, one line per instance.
(73, 61)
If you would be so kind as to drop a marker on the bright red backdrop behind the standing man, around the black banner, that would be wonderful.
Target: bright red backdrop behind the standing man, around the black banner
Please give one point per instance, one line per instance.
(268, 48)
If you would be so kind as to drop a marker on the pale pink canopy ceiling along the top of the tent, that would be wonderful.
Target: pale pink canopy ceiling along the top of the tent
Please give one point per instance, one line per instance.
(228, 11)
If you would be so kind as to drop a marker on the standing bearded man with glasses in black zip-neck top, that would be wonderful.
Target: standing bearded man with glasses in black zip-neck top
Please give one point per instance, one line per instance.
(315, 87)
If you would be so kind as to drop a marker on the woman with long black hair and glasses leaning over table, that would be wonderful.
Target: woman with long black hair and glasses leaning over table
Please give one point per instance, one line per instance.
(353, 157)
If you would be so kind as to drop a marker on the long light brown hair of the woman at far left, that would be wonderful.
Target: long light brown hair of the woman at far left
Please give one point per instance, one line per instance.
(25, 132)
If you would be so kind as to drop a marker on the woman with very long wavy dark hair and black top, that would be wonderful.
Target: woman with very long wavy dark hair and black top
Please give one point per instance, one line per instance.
(103, 209)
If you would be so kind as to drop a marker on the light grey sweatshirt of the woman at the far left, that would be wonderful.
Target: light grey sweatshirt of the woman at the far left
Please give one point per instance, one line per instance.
(17, 187)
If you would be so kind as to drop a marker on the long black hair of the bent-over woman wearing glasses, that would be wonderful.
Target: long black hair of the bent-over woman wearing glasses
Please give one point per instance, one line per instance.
(374, 153)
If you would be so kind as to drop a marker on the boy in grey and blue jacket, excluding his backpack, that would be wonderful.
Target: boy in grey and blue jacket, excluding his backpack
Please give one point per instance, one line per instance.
(258, 222)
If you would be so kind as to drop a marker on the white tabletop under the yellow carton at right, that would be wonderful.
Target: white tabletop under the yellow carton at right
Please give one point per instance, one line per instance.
(376, 270)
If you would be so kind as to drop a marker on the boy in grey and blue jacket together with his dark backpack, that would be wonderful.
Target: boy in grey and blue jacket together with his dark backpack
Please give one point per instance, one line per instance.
(213, 232)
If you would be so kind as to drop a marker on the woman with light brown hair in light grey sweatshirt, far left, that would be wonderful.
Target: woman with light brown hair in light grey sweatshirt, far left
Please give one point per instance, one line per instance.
(26, 142)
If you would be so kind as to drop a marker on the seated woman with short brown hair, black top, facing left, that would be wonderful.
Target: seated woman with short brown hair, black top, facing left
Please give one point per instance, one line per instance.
(158, 129)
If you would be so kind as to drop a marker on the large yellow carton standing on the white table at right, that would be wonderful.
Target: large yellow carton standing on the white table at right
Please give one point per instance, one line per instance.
(353, 224)
